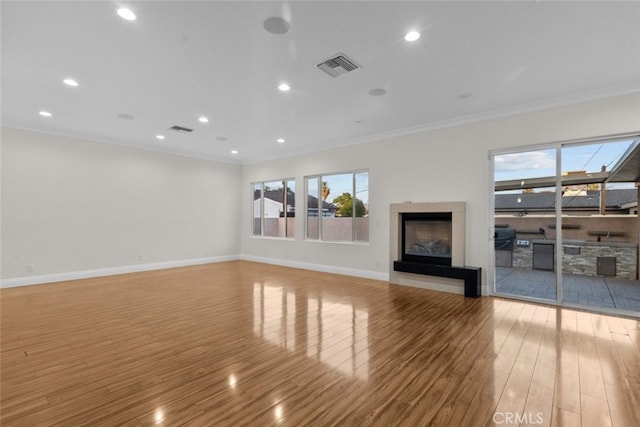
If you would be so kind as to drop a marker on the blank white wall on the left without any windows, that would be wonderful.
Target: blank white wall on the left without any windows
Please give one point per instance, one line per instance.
(72, 206)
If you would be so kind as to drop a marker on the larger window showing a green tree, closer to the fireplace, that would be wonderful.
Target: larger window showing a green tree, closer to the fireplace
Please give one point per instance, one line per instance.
(338, 207)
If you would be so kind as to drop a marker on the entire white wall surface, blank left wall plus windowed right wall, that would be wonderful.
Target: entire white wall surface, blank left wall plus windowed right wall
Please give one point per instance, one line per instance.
(72, 205)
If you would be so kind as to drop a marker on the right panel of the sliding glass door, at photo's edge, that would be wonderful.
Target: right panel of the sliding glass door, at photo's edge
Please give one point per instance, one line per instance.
(599, 256)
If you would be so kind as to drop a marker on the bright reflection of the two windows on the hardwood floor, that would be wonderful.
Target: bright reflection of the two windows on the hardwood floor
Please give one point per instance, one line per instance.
(333, 332)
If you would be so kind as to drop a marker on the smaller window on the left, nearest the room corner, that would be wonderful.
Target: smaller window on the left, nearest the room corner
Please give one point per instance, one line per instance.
(274, 208)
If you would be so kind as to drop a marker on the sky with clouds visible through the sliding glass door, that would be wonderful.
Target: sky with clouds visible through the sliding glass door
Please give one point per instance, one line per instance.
(542, 163)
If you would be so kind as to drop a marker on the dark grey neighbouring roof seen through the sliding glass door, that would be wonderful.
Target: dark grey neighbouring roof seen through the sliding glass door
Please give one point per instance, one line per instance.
(616, 199)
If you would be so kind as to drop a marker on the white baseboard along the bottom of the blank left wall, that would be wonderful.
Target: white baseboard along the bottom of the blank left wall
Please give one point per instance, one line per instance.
(110, 271)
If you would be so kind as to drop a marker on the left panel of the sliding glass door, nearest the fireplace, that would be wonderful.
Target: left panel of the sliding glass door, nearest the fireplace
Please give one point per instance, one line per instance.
(525, 220)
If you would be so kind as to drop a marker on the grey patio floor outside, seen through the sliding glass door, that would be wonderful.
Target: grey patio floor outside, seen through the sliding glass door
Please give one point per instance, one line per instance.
(596, 291)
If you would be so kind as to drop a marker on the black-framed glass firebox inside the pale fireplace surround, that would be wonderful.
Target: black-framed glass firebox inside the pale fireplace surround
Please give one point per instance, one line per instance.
(427, 237)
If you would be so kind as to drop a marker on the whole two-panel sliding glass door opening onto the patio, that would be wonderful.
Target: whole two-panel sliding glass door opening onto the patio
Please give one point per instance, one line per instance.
(566, 224)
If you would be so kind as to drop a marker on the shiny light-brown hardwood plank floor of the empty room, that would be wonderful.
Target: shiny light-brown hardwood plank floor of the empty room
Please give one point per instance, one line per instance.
(242, 343)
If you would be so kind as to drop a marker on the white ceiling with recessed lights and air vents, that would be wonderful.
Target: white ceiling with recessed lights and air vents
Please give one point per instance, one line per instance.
(182, 59)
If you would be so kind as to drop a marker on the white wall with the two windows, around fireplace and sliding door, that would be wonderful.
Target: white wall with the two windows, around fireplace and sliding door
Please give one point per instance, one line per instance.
(448, 164)
